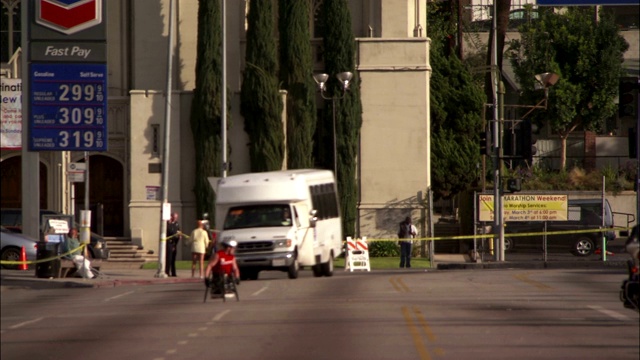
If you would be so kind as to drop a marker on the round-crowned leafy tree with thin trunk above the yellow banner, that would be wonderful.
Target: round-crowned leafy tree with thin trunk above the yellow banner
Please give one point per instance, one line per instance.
(587, 54)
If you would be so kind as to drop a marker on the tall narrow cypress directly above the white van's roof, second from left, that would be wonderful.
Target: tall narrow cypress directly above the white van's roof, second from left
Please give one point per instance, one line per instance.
(260, 101)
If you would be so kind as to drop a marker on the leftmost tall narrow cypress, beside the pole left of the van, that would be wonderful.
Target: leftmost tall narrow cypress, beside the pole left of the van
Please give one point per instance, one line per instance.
(206, 109)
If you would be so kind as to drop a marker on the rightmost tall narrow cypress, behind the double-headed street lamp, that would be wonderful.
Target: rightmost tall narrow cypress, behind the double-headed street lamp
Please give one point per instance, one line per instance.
(339, 56)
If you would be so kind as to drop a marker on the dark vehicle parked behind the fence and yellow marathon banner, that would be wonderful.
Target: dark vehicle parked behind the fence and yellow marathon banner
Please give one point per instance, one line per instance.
(583, 214)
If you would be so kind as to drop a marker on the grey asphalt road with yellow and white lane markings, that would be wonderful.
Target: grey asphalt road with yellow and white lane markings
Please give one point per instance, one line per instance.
(464, 314)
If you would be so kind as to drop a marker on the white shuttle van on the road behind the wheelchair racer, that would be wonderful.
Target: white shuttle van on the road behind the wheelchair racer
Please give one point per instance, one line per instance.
(282, 220)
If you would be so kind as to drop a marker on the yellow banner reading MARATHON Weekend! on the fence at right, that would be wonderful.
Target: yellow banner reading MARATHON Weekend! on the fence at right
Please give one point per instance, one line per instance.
(525, 207)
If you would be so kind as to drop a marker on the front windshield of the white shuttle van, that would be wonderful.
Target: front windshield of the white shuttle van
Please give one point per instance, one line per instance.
(250, 216)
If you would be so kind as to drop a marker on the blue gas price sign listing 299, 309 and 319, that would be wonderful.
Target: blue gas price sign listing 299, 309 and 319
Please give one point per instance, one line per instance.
(68, 107)
